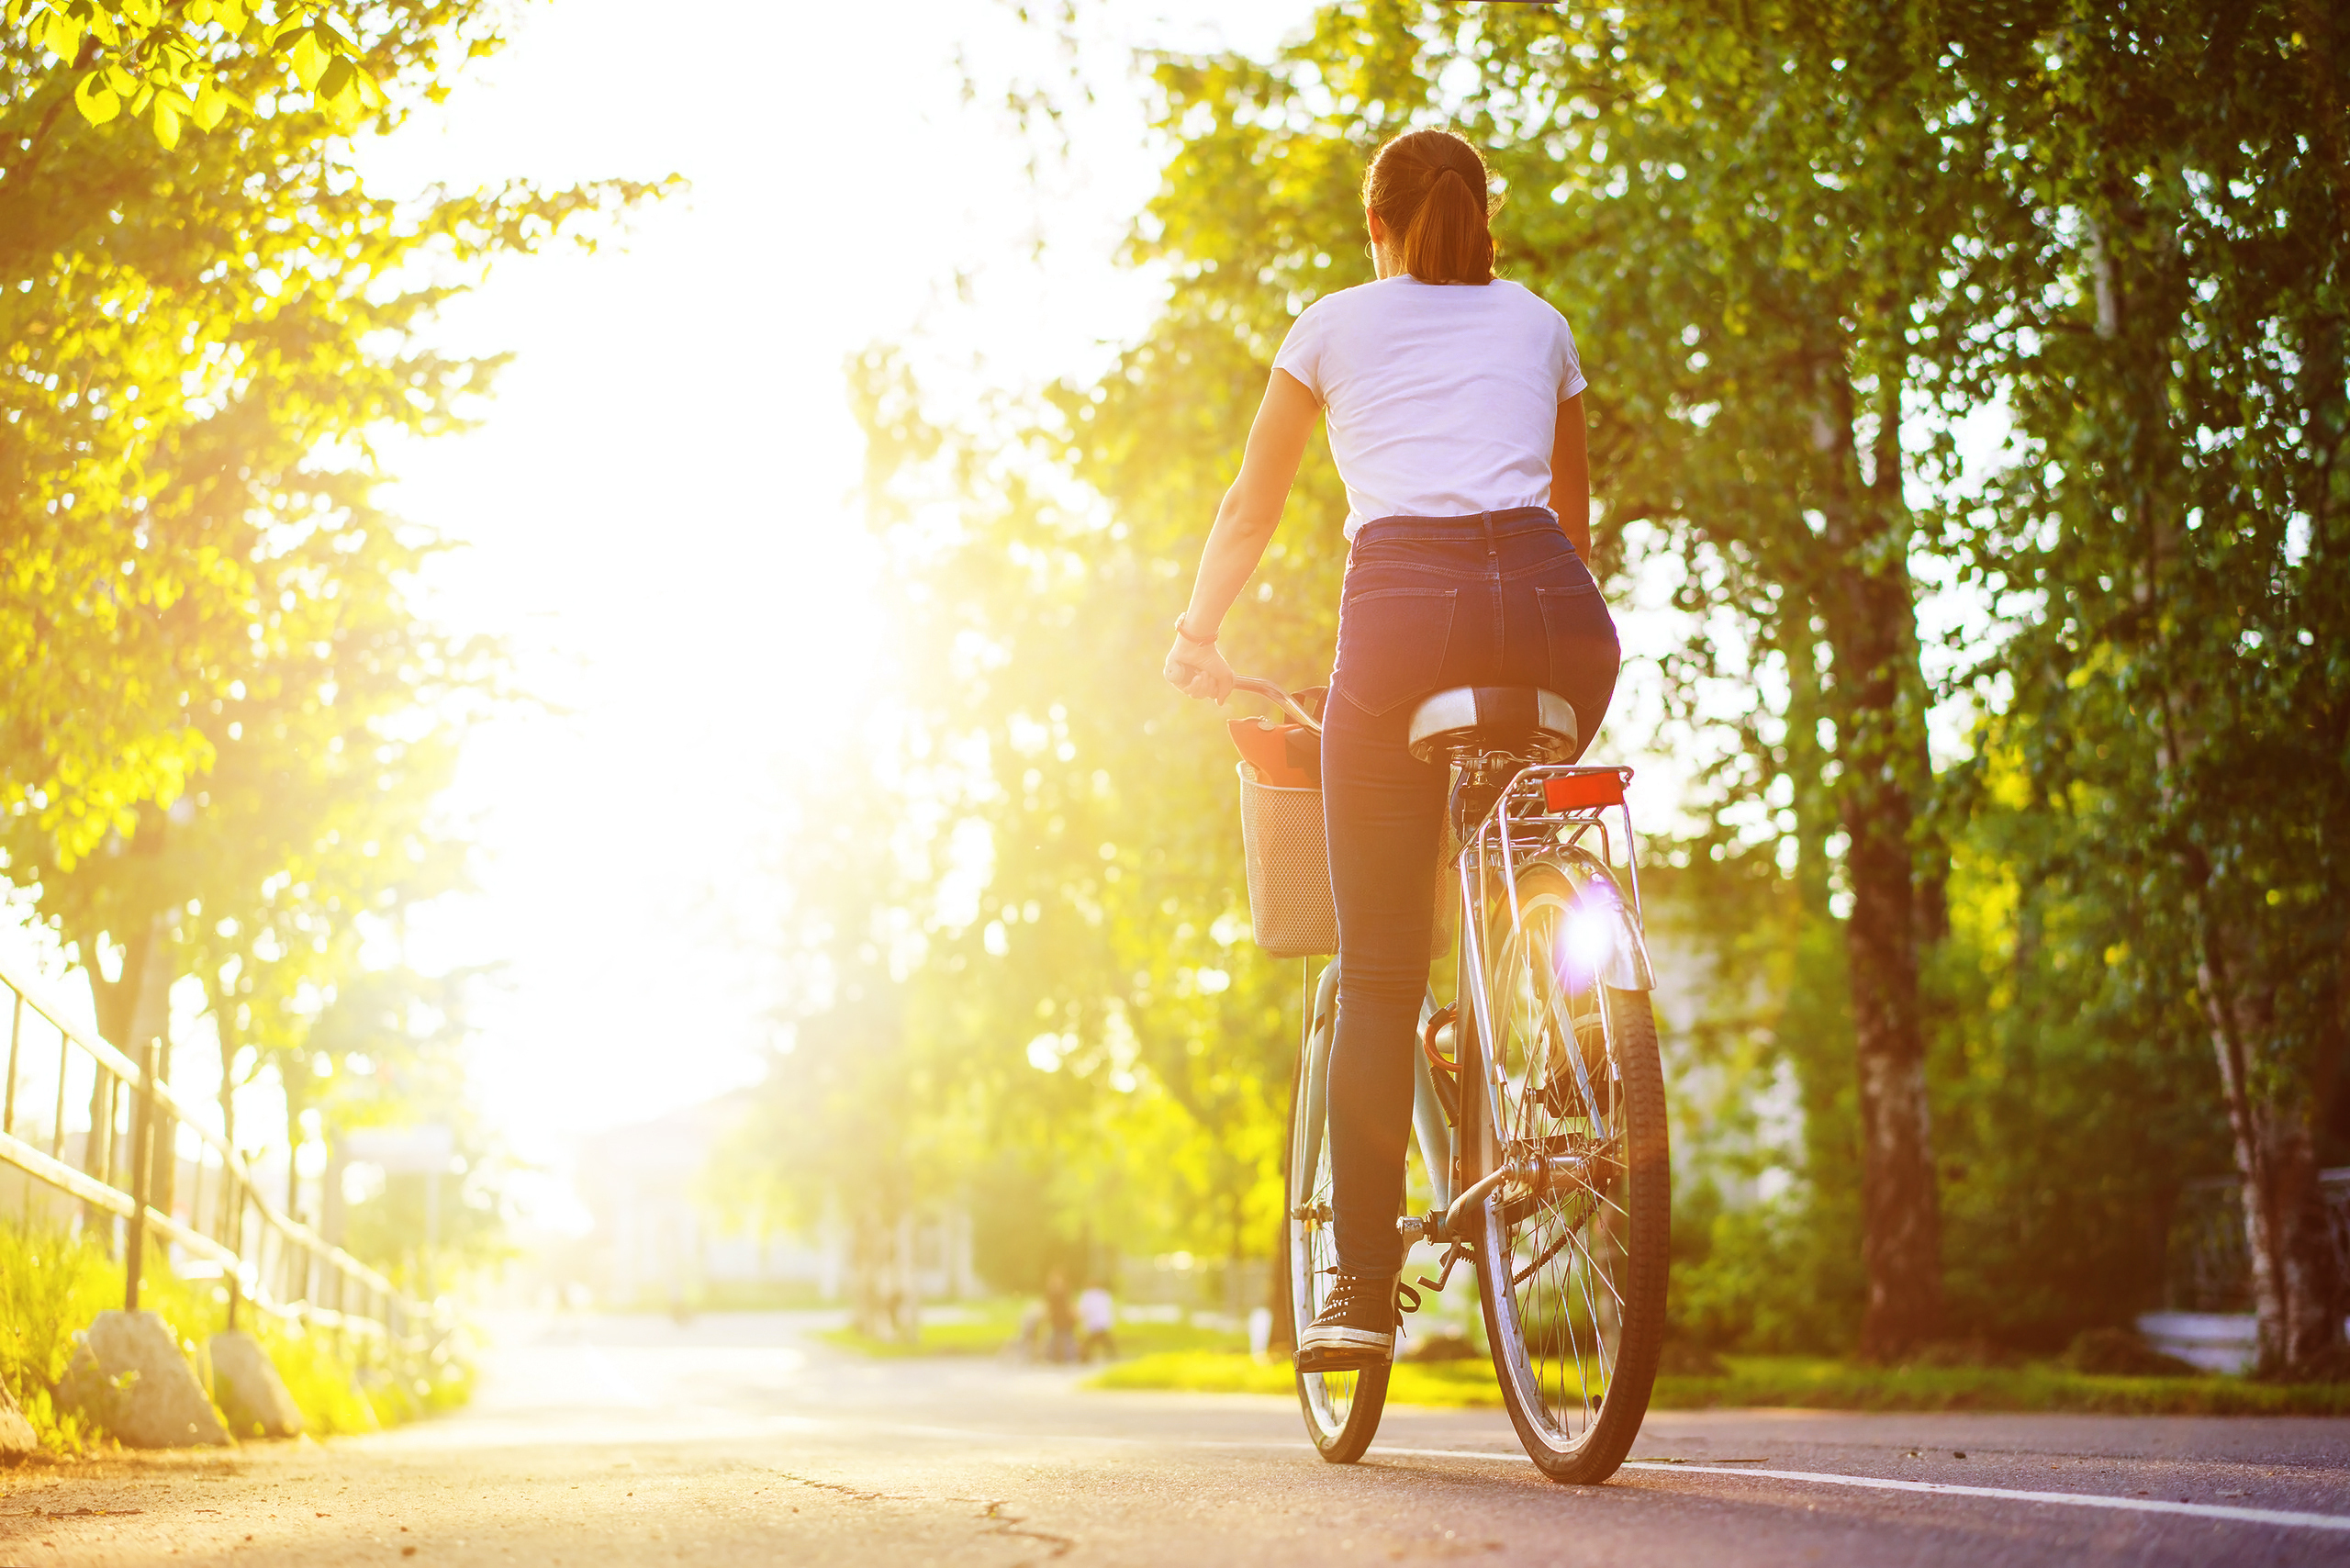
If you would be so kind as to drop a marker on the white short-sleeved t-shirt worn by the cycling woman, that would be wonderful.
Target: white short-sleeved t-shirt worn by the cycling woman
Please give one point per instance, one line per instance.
(1444, 398)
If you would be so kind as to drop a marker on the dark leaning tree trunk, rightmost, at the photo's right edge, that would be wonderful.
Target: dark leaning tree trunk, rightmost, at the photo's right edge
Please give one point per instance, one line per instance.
(2297, 1282)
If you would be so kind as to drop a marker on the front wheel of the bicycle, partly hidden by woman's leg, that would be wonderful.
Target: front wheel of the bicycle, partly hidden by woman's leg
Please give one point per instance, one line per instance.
(1343, 1409)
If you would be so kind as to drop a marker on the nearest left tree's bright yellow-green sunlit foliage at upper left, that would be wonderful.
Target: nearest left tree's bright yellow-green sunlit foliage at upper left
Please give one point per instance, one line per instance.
(201, 347)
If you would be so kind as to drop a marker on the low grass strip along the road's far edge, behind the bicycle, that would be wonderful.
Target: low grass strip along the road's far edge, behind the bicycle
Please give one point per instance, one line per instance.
(1790, 1381)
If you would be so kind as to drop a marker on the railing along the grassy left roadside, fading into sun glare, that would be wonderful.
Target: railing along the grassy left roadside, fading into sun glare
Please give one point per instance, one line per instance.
(269, 1259)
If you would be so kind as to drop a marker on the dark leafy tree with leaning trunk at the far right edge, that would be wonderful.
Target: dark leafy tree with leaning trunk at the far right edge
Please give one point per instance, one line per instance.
(2173, 528)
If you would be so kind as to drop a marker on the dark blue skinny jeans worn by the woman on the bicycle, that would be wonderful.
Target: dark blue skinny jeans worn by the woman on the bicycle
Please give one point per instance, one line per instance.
(1491, 601)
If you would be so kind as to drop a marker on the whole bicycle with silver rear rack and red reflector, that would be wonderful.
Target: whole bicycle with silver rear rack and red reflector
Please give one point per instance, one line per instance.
(1543, 1130)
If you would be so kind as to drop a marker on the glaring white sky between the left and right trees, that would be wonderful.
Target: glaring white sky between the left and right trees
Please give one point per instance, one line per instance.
(659, 502)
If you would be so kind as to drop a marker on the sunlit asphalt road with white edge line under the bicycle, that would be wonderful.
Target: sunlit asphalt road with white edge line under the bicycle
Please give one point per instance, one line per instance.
(739, 1442)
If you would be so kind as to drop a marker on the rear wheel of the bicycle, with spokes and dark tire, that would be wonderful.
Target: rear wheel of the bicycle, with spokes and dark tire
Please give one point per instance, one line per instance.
(1616, 1174)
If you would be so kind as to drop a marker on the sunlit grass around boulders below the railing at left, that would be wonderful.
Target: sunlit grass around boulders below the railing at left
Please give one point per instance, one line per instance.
(53, 1285)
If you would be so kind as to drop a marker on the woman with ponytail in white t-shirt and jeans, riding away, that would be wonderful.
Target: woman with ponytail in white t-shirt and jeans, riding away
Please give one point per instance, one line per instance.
(1458, 429)
